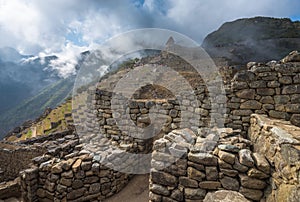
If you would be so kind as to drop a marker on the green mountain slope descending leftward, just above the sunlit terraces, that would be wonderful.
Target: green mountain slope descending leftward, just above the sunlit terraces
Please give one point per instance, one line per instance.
(51, 96)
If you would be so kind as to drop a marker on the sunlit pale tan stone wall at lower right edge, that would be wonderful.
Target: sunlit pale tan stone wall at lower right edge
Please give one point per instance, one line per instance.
(279, 141)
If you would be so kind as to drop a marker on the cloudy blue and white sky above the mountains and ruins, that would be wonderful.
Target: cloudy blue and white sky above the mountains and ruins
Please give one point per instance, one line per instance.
(69, 26)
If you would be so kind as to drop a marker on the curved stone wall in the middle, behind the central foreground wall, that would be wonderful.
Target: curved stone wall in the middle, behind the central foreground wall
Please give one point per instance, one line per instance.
(117, 127)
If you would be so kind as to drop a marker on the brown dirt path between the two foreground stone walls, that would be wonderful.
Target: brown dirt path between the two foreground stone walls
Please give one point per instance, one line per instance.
(136, 191)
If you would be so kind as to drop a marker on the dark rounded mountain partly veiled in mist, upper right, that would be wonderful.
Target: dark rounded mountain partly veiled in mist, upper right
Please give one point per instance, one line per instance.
(254, 39)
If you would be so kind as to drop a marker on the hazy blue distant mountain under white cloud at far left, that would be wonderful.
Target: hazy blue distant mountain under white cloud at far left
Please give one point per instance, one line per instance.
(22, 78)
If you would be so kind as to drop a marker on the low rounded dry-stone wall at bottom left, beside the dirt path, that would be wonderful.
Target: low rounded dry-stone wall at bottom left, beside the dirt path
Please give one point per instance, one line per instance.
(77, 177)
